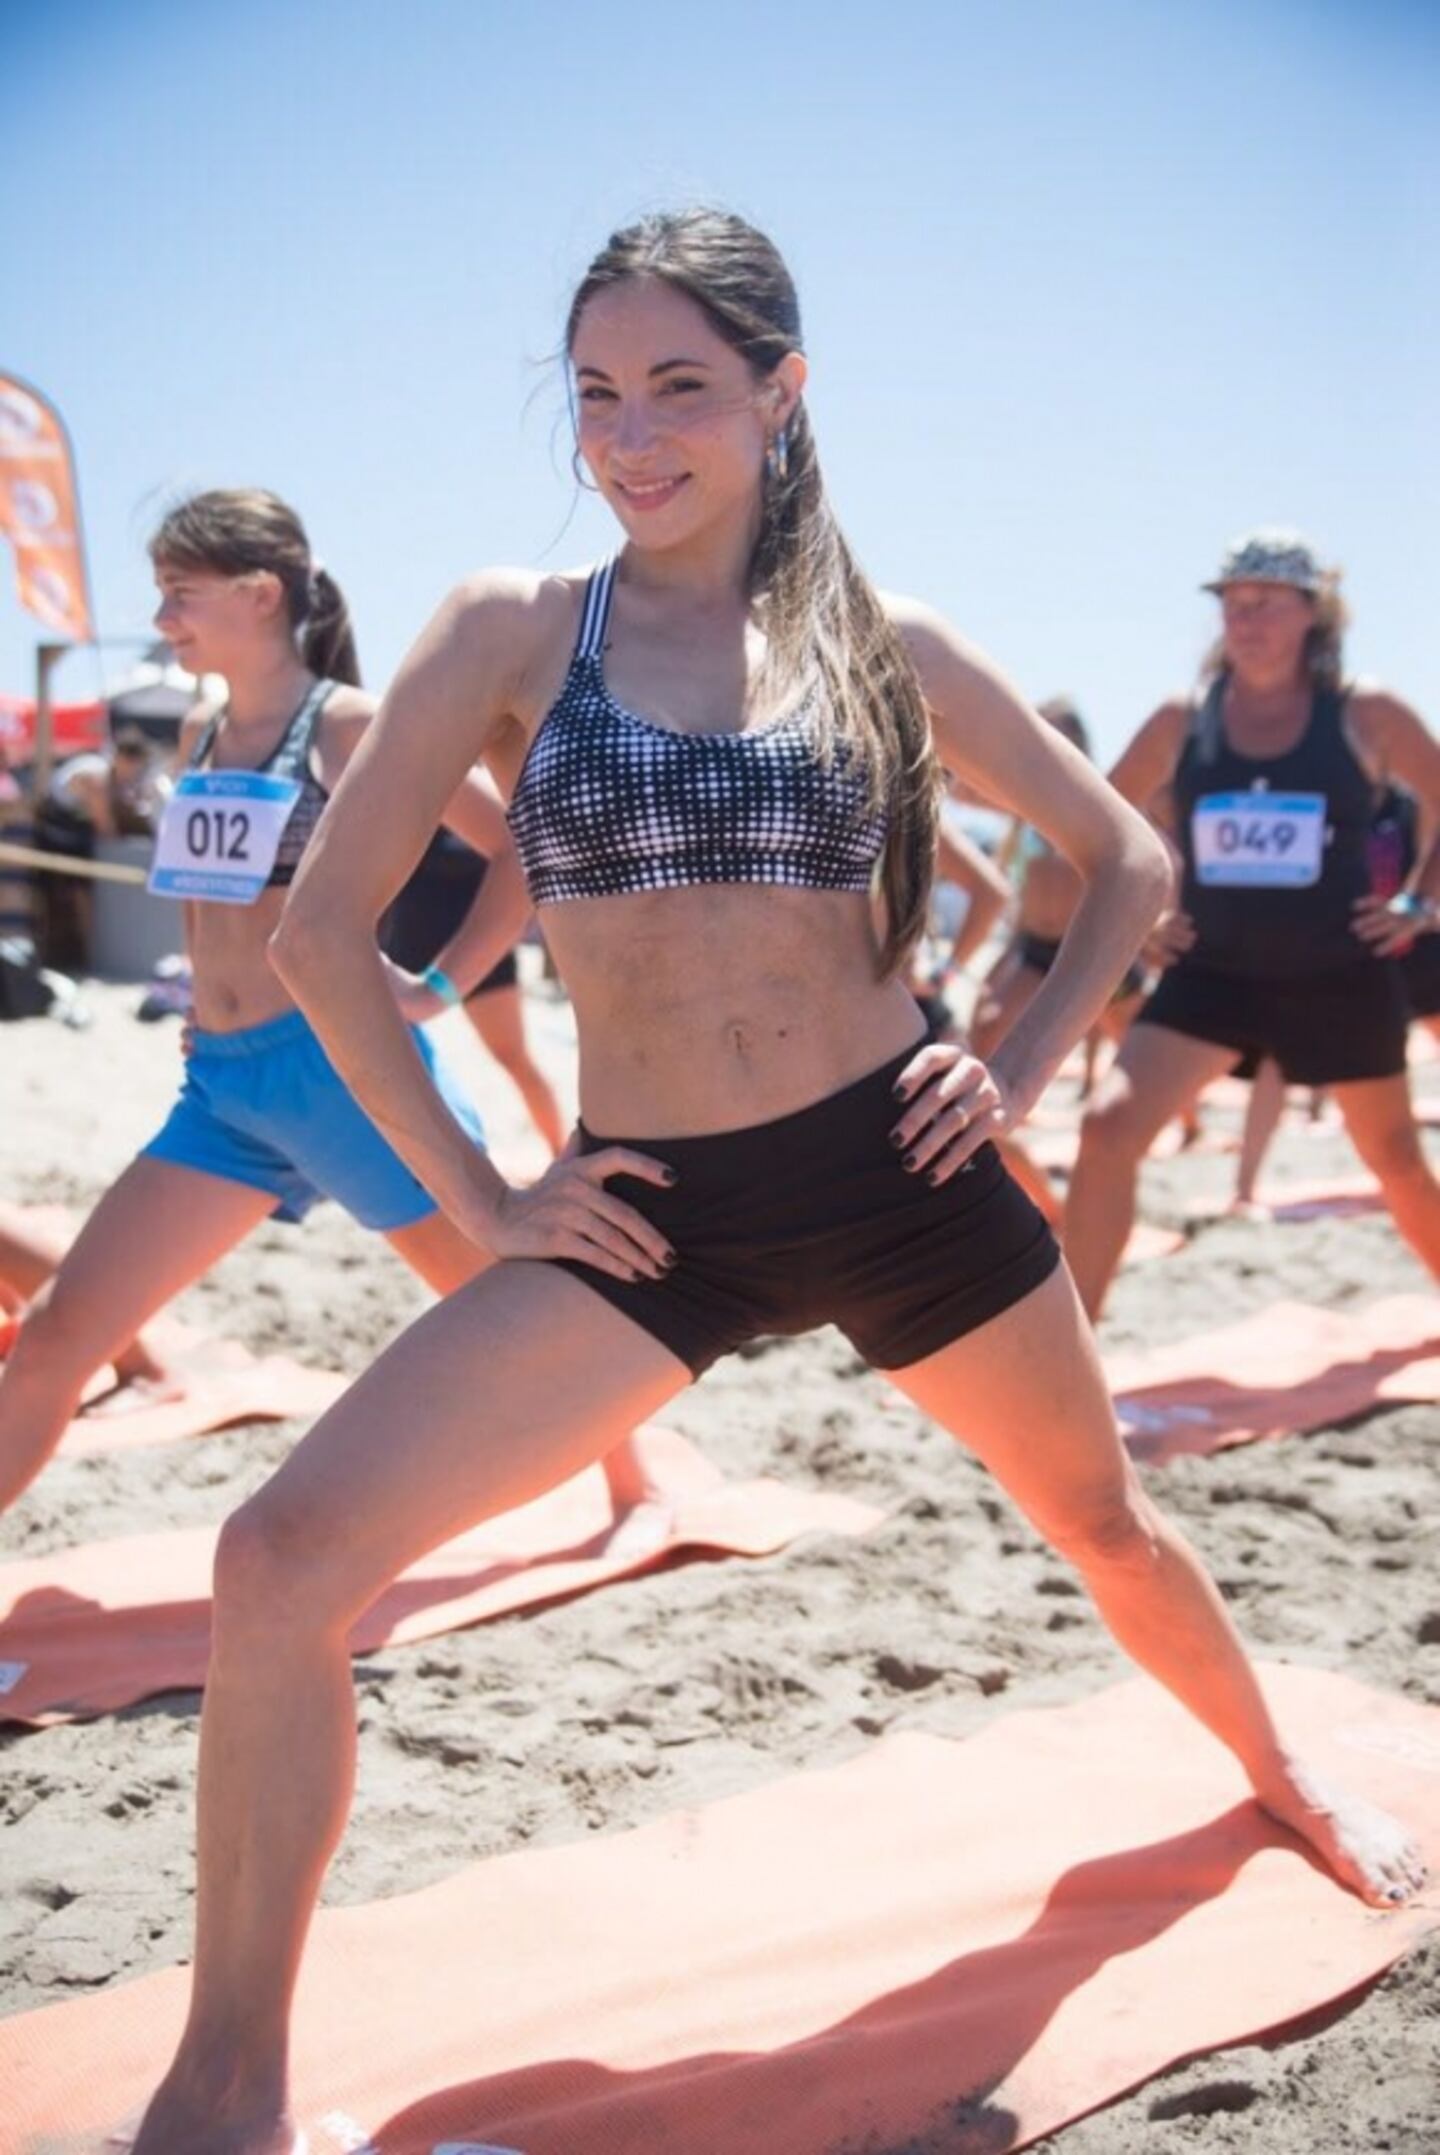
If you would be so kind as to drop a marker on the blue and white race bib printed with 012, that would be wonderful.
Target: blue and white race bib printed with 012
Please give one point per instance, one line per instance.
(221, 835)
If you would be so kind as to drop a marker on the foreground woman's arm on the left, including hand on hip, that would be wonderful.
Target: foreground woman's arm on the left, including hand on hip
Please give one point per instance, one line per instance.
(447, 706)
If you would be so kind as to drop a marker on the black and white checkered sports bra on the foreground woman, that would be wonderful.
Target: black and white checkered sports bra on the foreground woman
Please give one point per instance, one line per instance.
(611, 803)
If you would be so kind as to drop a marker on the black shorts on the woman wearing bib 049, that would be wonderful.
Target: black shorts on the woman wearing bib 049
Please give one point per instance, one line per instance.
(1323, 1029)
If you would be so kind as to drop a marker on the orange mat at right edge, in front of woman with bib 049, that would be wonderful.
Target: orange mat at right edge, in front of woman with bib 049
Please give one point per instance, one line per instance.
(1284, 1370)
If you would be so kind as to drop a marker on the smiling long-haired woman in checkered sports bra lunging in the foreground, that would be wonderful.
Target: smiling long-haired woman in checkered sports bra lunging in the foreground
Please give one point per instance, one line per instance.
(717, 749)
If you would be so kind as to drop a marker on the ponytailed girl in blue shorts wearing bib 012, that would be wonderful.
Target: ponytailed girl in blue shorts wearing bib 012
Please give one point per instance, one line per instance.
(264, 1126)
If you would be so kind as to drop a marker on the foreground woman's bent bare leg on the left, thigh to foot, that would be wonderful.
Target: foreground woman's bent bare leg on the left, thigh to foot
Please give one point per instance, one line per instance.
(493, 1415)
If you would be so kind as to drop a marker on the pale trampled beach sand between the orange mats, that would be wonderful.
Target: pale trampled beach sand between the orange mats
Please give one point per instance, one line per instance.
(717, 1678)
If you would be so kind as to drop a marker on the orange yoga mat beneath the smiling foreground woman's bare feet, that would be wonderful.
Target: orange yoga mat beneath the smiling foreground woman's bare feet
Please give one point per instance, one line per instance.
(939, 1947)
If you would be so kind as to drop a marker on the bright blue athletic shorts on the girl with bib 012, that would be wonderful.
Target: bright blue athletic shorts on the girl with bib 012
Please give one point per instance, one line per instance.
(268, 1109)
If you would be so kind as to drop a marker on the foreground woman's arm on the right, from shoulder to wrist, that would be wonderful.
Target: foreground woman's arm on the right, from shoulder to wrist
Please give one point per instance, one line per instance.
(995, 742)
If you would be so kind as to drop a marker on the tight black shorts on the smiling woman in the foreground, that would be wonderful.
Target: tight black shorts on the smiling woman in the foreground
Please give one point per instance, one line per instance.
(812, 1221)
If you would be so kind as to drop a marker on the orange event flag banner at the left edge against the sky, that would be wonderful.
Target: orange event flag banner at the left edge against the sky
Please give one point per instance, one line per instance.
(40, 512)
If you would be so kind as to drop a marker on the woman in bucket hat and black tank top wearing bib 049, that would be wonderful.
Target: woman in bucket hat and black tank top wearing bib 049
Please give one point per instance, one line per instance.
(1266, 783)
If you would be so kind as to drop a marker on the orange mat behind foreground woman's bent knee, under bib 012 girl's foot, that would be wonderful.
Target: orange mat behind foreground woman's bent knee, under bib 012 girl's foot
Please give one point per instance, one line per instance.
(96, 1628)
